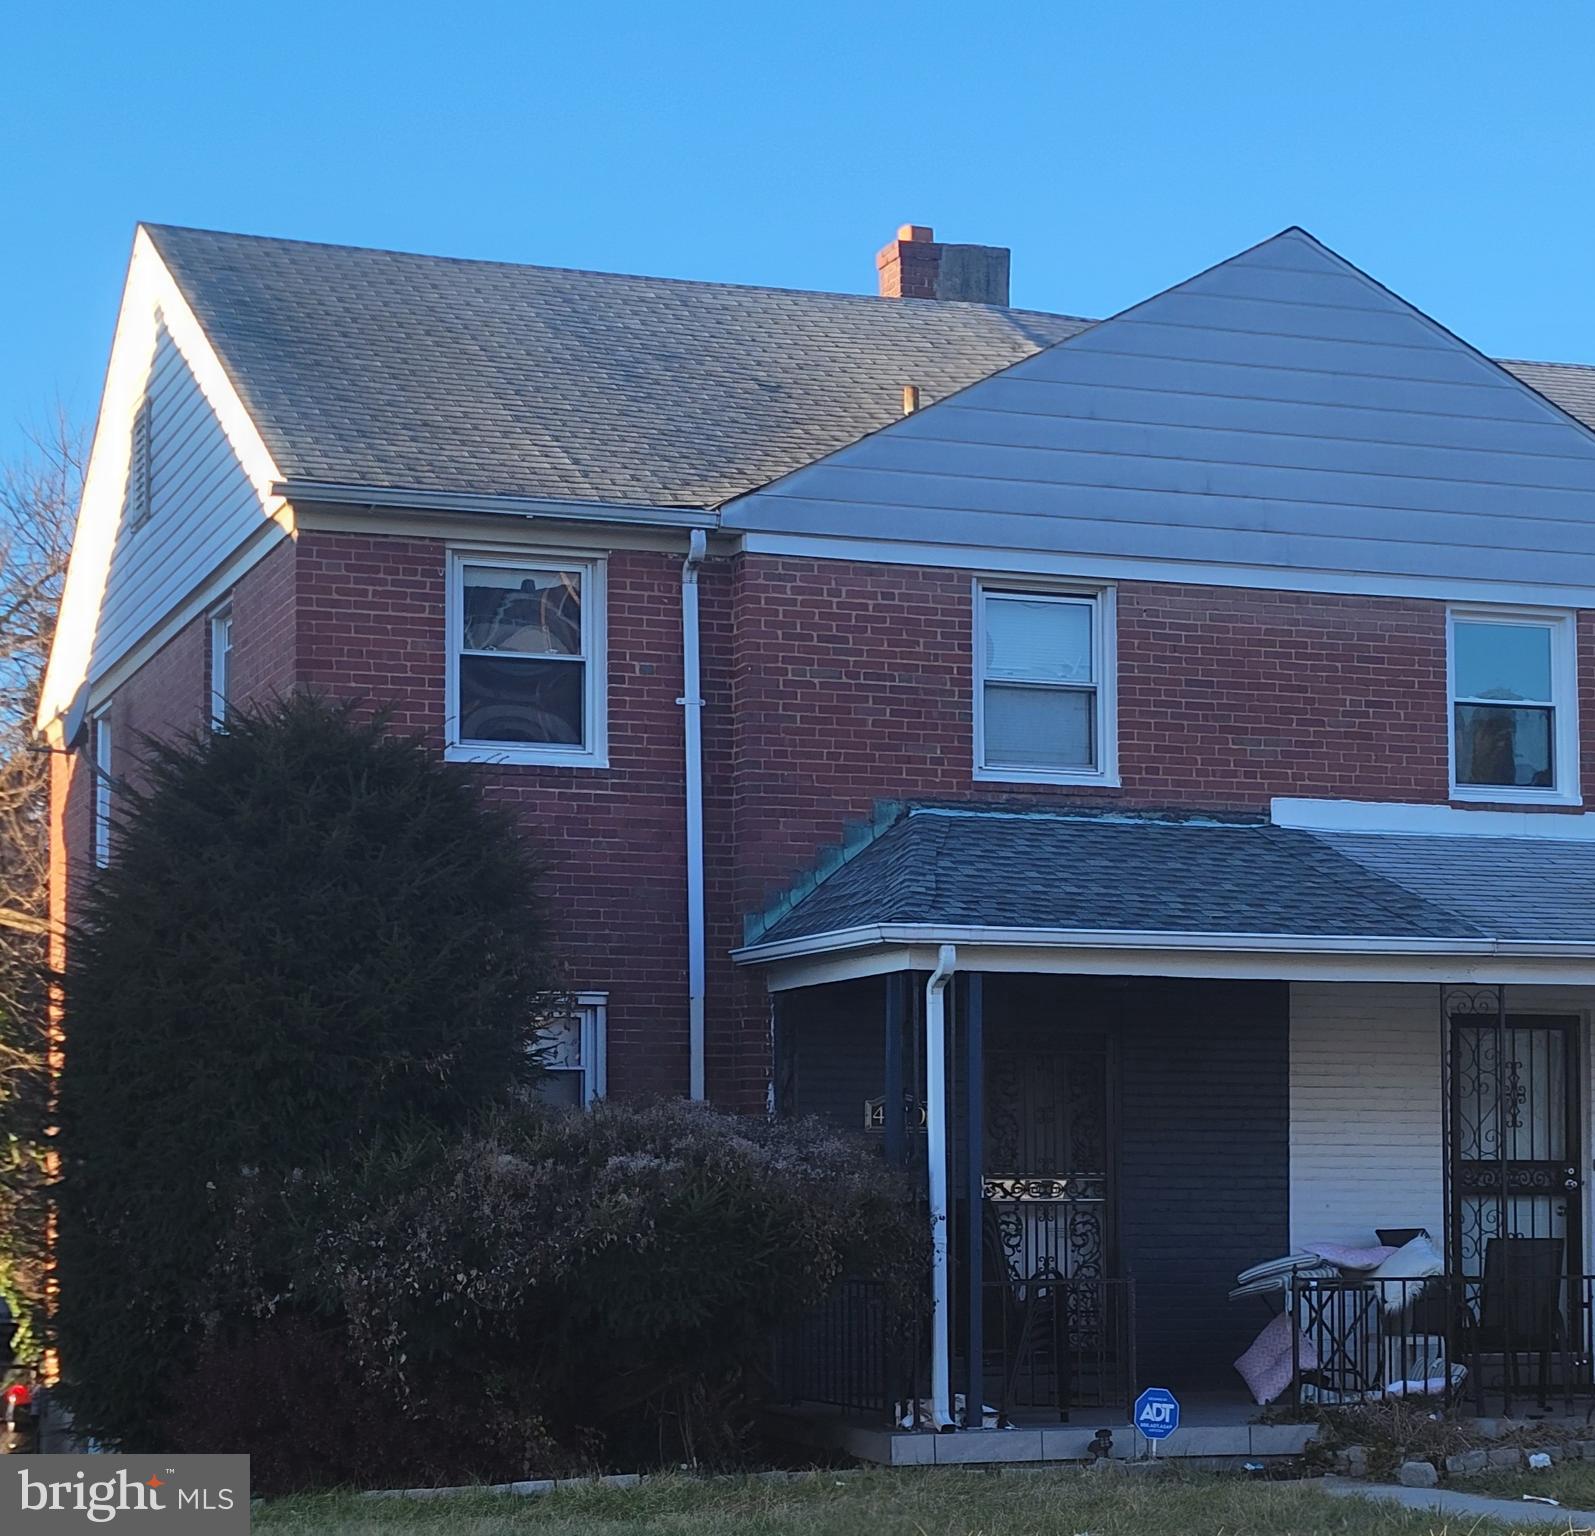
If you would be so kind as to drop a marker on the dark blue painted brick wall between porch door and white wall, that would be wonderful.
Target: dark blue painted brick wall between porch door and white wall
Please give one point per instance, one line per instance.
(1205, 1167)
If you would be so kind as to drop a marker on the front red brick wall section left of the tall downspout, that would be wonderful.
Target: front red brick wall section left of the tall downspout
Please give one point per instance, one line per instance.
(371, 616)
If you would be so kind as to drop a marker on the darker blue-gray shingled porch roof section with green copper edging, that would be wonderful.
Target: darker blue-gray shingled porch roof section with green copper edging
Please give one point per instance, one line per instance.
(1108, 873)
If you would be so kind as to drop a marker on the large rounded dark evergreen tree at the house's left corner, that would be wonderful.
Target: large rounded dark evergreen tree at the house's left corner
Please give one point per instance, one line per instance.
(312, 932)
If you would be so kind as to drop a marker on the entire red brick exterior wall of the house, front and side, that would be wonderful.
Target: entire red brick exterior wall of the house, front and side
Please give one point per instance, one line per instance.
(830, 687)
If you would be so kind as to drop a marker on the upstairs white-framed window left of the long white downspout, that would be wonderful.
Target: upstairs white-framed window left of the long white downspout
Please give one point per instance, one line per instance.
(527, 661)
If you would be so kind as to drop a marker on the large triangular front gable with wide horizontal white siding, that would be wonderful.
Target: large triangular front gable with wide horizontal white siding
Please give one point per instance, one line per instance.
(1277, 414)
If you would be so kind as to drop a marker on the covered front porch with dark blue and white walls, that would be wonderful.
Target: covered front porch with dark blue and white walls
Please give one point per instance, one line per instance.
(1119, 1151)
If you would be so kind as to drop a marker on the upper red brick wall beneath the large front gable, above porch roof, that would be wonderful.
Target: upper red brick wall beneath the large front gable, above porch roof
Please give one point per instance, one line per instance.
(854, 683)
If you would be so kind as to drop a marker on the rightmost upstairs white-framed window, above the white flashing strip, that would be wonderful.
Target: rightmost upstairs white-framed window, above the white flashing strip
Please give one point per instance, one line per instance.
(1514, 722)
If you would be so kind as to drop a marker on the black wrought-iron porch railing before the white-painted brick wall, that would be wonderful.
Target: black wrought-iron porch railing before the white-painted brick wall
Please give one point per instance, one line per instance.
(1481, 1344)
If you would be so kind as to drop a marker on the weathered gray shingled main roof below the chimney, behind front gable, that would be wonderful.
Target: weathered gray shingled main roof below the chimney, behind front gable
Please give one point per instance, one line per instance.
(427, 374)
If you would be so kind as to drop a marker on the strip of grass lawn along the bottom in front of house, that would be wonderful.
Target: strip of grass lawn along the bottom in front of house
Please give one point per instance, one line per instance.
(880, 1503)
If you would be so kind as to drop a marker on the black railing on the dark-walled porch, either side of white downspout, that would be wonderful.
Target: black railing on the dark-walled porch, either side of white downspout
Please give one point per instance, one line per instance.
(1052, 1347)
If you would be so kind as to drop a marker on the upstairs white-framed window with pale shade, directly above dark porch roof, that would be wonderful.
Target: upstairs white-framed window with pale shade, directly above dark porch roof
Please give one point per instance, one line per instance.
(1046, 707)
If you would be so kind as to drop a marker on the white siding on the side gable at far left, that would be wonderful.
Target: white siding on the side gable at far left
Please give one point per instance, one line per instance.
(202, 508)
